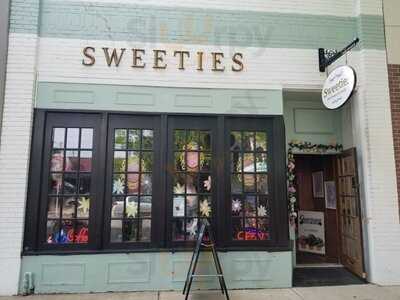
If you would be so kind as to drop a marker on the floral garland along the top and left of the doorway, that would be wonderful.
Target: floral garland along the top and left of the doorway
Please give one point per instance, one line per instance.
(303, 147)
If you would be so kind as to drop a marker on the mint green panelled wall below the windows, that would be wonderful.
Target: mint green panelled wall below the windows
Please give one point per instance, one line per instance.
(153, 271)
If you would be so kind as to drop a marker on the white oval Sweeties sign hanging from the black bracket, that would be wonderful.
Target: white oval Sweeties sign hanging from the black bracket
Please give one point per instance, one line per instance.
(339, 87)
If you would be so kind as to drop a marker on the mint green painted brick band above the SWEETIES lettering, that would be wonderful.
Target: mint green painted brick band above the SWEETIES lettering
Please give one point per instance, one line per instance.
(184, 25)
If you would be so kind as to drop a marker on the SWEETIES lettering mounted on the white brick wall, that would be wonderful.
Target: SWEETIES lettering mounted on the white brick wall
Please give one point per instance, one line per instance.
(140, 58)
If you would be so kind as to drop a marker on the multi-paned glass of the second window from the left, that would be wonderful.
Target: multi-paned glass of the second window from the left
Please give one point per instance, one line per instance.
(132, 186)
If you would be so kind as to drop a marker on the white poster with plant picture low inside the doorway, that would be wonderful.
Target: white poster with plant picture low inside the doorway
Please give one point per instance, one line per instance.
(311, 232)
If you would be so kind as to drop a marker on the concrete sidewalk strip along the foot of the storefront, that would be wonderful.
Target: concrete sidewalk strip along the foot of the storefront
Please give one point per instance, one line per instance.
(354, 292)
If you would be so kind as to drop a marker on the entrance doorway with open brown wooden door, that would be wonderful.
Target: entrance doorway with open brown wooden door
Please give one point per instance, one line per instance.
(328, 235)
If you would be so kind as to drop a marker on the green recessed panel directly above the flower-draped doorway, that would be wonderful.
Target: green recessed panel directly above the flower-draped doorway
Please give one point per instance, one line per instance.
(310, 121)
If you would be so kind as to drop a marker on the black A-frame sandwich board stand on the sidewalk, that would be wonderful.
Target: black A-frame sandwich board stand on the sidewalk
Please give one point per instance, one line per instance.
(209, 245)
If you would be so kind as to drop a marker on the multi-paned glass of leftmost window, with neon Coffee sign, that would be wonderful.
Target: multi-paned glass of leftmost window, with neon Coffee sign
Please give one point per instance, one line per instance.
(69, 186)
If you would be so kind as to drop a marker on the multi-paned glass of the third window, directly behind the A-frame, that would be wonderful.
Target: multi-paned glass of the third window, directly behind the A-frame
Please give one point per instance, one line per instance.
(192, 182)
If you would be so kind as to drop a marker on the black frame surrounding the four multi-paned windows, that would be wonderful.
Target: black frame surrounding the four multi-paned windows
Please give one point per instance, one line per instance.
(162, 206)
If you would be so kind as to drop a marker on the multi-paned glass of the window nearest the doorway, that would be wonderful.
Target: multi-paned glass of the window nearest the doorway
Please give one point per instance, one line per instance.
(249, 185)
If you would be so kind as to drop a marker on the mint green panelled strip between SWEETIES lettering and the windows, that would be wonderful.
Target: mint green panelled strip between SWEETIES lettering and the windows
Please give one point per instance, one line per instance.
(158, 99)
